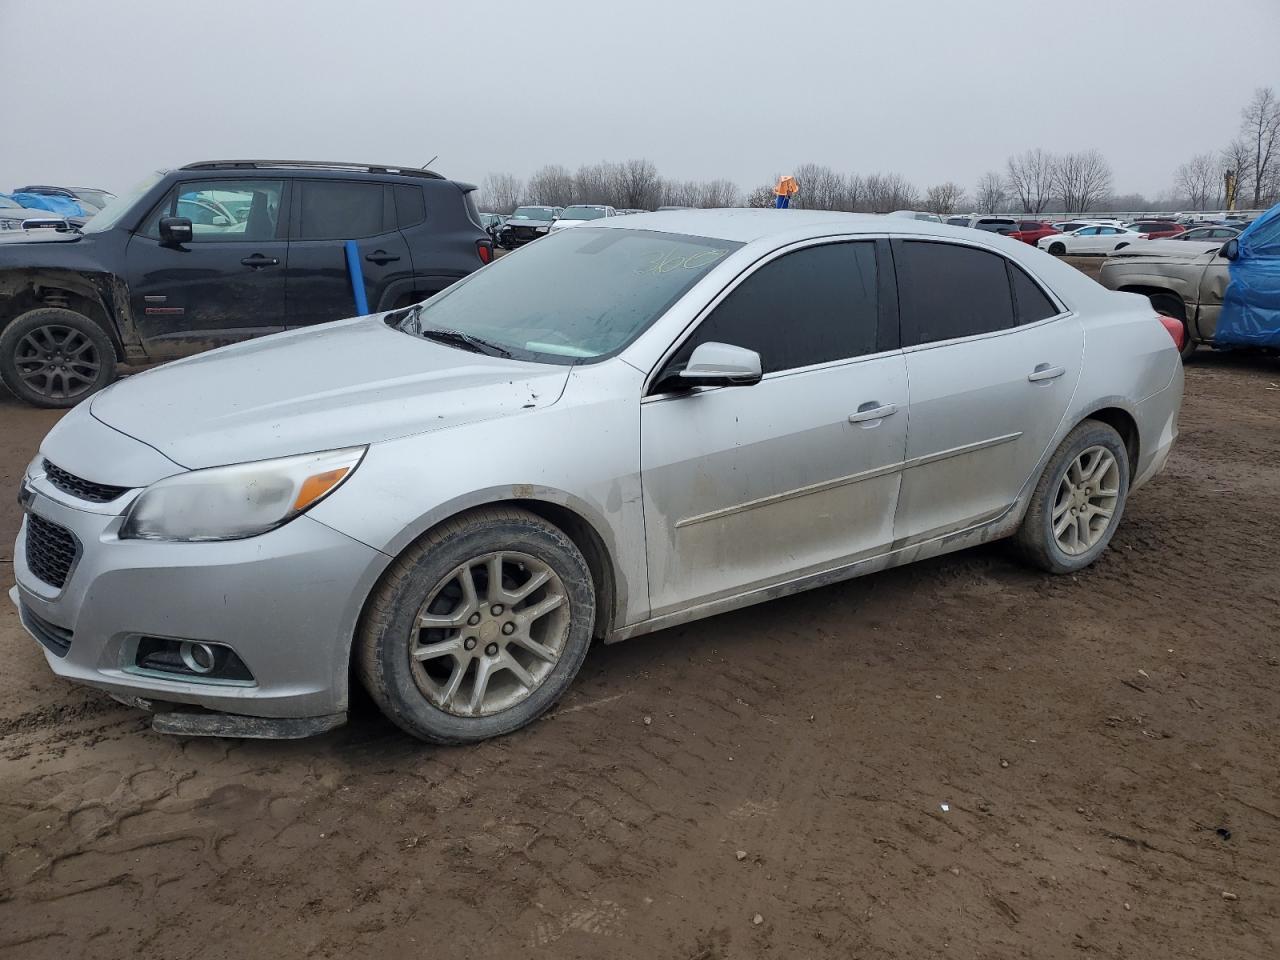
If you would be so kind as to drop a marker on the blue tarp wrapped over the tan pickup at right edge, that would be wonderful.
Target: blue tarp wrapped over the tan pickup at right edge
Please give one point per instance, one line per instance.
(1251, 307)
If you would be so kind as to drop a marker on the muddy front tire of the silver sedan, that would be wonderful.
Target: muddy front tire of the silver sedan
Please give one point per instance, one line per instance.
(433, 697)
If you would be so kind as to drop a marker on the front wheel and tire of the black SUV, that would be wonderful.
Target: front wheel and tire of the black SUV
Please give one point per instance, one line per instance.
(35, 346)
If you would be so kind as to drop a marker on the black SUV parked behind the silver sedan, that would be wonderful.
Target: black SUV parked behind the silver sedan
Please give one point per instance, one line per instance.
(225, 252)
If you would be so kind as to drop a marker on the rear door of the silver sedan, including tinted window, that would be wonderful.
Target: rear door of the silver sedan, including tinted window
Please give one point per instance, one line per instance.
(993, 362)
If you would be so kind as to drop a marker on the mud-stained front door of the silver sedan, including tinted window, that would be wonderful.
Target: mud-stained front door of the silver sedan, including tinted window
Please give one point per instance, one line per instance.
(753, 486)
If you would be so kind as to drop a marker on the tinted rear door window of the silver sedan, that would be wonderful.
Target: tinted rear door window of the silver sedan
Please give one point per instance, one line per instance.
(948, 291)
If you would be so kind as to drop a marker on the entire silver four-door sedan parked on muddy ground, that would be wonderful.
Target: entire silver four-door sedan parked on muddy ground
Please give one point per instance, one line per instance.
(630, 426)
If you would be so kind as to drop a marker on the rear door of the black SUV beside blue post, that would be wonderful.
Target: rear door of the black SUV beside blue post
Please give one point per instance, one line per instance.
(328, 213)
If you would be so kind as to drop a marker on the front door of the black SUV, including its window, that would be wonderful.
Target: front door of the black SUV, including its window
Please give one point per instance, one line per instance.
(227, 285)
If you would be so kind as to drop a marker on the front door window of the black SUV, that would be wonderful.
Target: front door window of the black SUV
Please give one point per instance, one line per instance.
(222, 211)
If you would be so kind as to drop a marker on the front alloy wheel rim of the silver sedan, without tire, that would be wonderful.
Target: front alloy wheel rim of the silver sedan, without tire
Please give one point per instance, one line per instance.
(490, 634)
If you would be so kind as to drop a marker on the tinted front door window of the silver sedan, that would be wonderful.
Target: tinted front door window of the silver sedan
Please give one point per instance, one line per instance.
(811, 307)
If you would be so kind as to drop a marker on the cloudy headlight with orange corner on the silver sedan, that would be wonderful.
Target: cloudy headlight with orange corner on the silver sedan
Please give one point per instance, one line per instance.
(231, 504)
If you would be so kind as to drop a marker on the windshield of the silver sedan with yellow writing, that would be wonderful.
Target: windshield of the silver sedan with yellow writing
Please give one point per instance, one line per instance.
(573, 296)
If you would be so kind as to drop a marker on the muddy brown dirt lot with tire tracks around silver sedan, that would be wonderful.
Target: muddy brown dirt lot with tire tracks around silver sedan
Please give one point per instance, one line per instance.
(962, 760)
